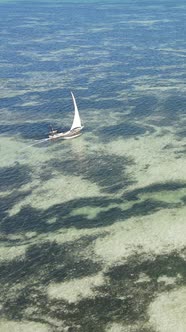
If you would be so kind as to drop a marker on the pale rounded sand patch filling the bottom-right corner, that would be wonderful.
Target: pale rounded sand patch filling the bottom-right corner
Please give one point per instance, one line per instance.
(168, 311)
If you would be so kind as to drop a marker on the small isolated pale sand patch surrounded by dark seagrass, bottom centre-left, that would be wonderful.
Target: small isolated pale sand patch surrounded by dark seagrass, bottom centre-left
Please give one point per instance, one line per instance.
(74, 290)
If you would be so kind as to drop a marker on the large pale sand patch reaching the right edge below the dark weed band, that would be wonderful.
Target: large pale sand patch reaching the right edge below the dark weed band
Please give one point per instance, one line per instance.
(159, 233)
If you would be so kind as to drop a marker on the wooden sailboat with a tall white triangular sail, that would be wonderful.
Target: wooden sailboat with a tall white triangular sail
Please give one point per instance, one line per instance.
(75, 129)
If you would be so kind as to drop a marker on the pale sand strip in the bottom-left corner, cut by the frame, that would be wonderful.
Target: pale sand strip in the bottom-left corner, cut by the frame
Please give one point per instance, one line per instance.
(24, 326)
